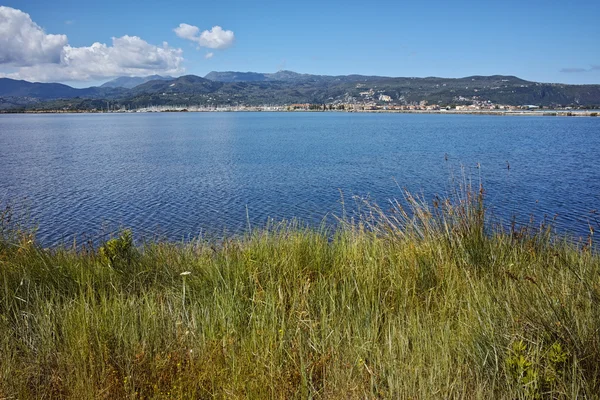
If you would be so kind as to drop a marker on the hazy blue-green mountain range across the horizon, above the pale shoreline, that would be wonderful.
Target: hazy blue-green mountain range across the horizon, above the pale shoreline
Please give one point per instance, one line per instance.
(287, 87)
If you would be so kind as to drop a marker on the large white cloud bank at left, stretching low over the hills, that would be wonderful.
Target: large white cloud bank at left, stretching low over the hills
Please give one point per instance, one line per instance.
(41, 57)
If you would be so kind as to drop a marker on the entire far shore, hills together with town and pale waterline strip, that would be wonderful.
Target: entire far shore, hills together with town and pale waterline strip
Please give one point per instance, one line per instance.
(287, 91)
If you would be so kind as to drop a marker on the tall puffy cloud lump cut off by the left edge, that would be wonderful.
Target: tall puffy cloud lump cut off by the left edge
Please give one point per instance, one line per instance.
(23, 42)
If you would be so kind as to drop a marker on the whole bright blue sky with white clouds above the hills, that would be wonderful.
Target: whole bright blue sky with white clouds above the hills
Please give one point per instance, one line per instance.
(546, 41)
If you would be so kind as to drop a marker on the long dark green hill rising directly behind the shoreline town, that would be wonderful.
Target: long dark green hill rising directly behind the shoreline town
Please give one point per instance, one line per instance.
(286, 87)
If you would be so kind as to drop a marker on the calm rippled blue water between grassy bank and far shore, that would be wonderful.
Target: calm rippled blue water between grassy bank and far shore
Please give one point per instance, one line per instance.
(186, 174)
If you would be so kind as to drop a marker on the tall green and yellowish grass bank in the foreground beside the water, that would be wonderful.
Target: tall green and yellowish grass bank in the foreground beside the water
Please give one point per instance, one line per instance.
(427, 302)
